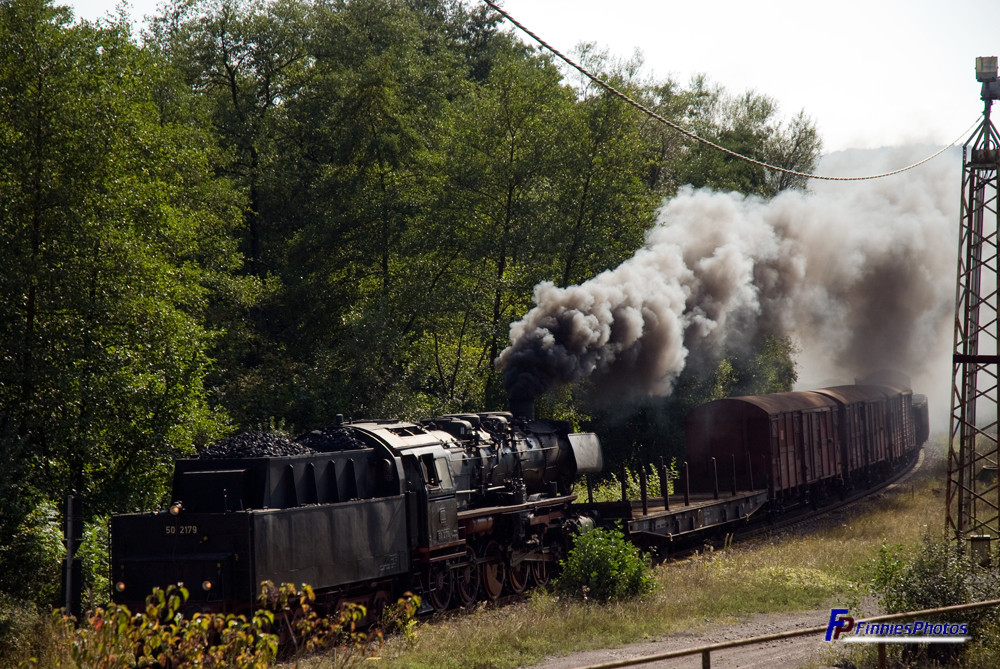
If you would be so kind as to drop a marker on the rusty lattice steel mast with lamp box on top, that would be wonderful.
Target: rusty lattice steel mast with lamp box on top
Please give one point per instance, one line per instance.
(973, 497)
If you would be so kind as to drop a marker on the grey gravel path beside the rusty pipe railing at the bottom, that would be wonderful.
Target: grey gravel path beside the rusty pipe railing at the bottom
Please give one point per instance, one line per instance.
(807, 651)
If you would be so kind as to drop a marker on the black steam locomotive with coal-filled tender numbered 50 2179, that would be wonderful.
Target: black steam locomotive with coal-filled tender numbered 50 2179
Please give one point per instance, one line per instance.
(454, 508)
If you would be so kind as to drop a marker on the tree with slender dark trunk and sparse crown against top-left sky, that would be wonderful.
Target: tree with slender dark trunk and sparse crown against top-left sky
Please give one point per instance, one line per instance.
(244, 58)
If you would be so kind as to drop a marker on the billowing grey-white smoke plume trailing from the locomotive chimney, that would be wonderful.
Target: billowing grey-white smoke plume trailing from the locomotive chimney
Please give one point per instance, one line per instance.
(860, 274)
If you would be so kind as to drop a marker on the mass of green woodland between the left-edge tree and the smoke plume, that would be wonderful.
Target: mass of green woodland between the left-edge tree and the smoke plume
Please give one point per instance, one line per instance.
(416, 174)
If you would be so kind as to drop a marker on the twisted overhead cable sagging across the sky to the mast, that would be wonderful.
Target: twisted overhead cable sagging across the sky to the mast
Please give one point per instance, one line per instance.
(652, 114)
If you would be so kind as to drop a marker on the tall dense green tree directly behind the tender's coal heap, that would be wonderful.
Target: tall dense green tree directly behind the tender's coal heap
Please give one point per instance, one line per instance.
(349, 197)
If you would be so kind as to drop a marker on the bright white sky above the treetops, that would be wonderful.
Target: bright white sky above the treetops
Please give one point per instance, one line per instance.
(870, 73)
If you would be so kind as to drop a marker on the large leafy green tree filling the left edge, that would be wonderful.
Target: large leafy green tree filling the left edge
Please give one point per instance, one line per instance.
(117, 239)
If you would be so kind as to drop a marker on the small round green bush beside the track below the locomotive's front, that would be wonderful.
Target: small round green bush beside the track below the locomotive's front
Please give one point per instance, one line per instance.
(603, 566)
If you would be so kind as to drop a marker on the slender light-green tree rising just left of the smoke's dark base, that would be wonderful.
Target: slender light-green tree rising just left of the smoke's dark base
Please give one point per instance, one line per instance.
(503, 158)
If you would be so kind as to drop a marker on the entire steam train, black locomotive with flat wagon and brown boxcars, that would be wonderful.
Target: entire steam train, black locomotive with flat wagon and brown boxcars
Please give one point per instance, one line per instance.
(469, 506)
